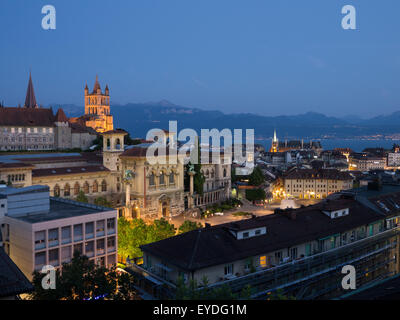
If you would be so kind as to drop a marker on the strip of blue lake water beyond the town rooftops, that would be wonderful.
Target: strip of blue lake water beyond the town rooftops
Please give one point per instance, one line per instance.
(356, 145)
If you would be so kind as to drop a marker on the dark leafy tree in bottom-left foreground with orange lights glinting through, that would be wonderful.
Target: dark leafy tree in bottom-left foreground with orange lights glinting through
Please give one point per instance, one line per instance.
(82, 279)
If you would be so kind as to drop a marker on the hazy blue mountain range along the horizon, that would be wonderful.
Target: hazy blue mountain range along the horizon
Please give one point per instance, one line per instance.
(138, 118)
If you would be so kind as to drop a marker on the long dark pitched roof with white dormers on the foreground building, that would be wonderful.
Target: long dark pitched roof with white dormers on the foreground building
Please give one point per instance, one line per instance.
(216, 245)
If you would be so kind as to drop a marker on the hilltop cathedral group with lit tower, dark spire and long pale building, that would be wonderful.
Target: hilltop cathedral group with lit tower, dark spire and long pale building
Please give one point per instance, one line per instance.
(34, 128)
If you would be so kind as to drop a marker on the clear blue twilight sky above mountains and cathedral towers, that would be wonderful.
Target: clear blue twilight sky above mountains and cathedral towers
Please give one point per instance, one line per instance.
(259, 56)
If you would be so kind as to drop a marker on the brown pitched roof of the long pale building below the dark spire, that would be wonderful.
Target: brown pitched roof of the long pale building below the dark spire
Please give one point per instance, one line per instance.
(26, 117)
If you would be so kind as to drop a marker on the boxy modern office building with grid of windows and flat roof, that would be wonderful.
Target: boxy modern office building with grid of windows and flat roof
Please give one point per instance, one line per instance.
(39, 230)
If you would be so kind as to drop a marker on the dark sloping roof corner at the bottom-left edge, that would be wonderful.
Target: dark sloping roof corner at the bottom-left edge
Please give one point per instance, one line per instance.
(12, 280)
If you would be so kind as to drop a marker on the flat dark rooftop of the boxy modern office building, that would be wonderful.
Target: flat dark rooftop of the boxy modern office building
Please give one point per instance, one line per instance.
(63, 209)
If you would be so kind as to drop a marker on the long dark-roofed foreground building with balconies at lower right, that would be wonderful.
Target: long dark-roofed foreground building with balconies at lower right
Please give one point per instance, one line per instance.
(300, 252)
